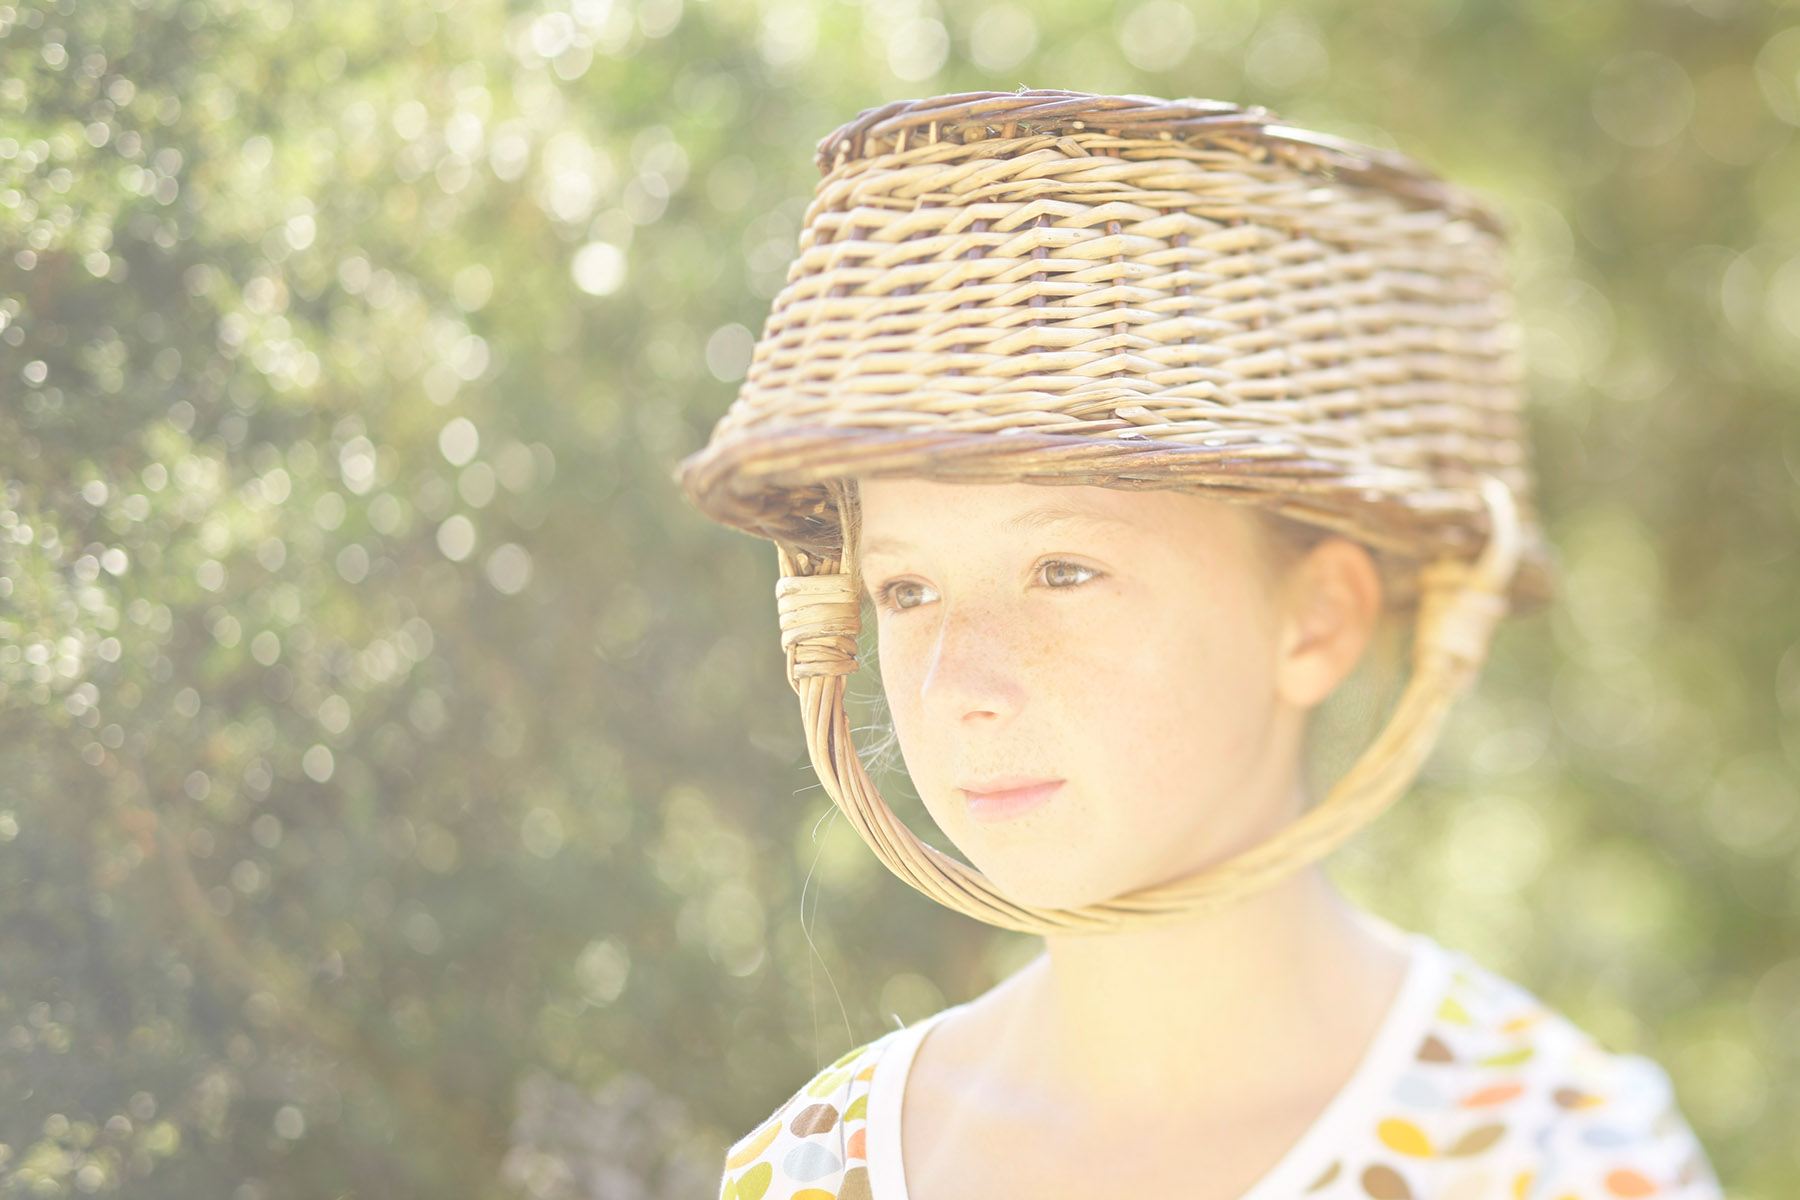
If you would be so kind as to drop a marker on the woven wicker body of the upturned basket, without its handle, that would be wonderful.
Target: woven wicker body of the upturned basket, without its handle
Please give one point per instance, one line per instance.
(1236, 310)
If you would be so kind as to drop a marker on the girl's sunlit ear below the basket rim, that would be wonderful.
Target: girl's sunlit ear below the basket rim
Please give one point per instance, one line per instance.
(1331, 607)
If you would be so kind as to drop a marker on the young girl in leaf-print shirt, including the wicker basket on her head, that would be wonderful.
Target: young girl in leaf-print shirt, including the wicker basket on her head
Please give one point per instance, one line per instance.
(1131, 420)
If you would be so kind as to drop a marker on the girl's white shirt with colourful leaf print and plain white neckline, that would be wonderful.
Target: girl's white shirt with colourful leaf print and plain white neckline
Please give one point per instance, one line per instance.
(1471, 1089)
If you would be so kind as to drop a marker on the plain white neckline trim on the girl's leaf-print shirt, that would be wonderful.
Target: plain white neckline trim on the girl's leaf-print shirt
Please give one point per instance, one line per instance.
(1408, 1016)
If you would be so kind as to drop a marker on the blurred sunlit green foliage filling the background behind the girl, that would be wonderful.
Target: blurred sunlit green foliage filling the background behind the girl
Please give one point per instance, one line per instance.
(399, 789)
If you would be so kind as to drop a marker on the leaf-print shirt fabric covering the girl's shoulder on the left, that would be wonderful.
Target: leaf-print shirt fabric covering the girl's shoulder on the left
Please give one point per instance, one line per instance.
(814, 1145)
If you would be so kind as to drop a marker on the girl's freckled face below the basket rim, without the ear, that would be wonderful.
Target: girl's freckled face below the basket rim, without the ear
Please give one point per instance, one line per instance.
(1084, 681)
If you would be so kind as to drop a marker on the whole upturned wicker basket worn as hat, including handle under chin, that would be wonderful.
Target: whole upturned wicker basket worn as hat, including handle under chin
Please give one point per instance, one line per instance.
(1120, 291)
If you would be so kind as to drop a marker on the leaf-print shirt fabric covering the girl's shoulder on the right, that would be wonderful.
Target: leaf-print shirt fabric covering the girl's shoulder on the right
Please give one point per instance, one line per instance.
(1507, 1097)
